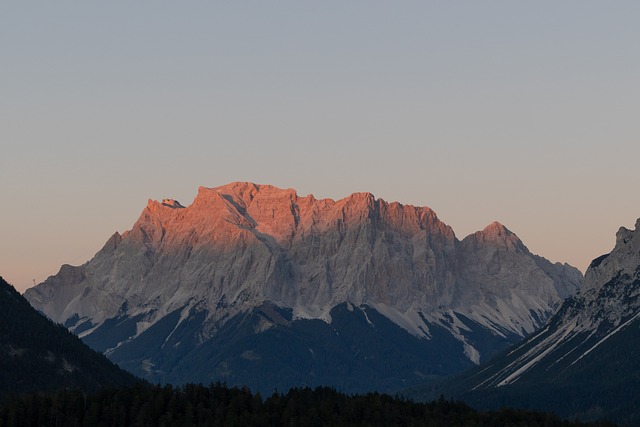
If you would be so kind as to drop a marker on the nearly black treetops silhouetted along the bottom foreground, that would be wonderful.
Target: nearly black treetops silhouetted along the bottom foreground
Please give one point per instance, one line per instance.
(219, 405)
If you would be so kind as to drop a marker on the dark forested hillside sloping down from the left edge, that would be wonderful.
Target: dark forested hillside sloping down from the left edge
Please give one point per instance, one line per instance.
(38, 355)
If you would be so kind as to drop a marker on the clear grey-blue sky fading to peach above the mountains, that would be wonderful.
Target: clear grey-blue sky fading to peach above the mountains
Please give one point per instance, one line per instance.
(521, 112)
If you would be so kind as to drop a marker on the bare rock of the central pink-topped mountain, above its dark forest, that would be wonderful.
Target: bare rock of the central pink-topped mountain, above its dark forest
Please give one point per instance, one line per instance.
(243, 247)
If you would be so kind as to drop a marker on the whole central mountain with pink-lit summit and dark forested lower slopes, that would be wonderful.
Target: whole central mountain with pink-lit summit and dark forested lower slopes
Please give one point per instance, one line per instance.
(254, 284)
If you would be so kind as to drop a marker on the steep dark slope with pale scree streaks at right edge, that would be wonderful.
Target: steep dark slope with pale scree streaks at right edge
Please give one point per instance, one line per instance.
(583, 362)
